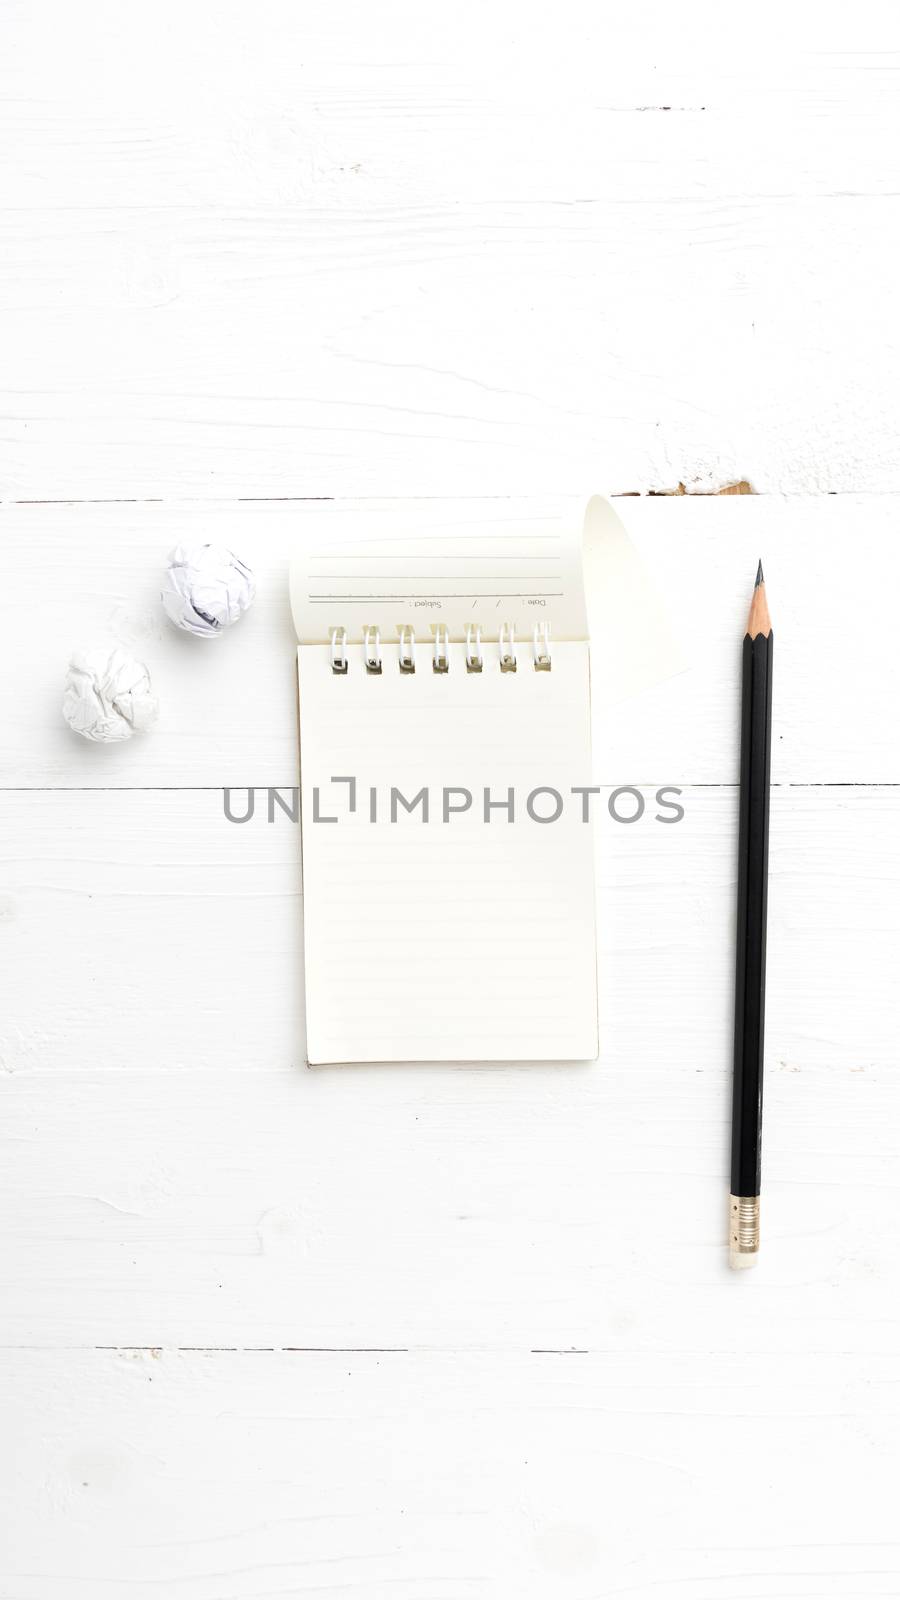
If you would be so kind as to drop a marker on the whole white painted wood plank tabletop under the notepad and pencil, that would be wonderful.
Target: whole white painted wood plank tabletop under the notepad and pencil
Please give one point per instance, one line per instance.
(427, 1334)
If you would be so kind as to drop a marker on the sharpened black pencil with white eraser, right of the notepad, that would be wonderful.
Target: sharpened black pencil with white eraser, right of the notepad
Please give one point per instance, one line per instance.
(750, 970)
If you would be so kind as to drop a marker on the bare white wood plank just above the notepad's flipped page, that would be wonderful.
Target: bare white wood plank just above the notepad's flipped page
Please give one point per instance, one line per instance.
(483, 351)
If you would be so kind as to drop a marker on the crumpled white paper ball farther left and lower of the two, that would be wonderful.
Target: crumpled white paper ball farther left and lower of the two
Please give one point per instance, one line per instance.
(108, 695)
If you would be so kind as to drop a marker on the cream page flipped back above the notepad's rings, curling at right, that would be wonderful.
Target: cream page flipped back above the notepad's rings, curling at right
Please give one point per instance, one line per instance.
(420, 566)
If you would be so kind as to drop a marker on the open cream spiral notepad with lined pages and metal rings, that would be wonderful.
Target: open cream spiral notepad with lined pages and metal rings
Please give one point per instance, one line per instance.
(446, 750)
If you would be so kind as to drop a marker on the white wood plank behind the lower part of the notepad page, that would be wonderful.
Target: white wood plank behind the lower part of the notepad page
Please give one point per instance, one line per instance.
(193, 926)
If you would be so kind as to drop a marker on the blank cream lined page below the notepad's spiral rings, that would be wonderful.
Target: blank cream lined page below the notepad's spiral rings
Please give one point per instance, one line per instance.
(460, 940)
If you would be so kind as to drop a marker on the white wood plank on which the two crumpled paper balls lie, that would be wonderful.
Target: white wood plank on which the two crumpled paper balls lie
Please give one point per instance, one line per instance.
(74, 575)
